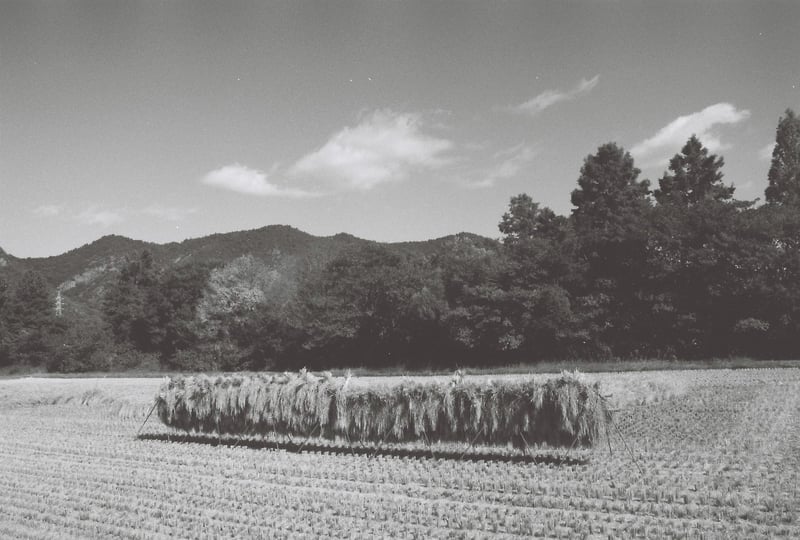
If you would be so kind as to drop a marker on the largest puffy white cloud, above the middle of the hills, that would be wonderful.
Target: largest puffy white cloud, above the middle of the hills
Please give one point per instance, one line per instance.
(384, 147)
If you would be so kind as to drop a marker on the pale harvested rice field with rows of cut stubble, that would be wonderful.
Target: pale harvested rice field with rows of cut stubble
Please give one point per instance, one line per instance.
(690, 454)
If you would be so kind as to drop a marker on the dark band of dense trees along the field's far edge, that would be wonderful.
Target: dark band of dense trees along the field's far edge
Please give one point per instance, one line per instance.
(677, 268)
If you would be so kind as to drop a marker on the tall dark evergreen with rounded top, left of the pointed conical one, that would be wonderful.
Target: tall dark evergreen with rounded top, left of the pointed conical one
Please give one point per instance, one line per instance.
(611, 218)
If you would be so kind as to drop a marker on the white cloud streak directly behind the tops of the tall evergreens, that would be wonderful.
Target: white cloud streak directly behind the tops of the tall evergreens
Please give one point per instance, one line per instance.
(670, 139)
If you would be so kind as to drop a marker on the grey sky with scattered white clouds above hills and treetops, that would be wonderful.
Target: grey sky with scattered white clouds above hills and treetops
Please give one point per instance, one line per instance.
(388, 120)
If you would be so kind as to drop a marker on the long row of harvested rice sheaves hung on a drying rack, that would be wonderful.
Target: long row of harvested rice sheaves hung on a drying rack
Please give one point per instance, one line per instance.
(564, 411)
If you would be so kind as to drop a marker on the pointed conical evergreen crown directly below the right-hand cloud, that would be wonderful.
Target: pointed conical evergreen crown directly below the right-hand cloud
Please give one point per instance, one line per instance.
(694, 177)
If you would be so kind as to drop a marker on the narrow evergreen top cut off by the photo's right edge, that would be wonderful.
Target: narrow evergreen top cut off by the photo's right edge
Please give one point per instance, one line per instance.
(784, 173)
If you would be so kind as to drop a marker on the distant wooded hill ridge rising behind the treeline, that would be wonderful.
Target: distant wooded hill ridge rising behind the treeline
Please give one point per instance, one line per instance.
(82, 274)
